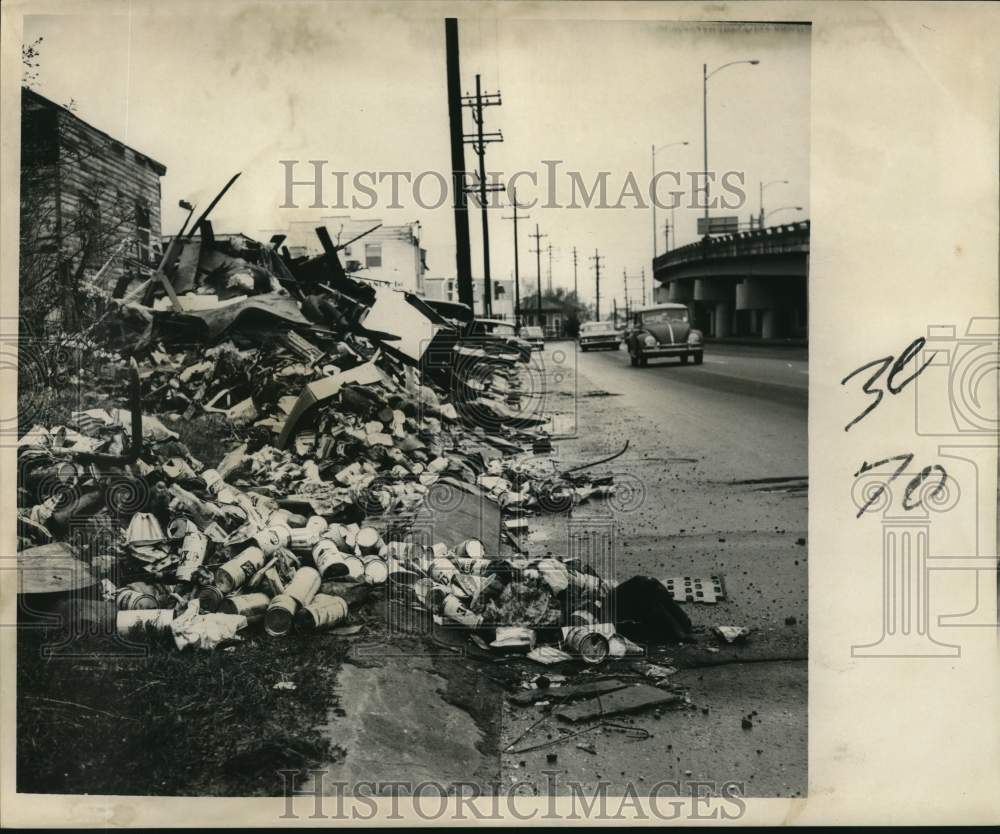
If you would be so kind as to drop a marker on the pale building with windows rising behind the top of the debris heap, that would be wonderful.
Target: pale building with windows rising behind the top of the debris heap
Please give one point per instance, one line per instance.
(390, 255)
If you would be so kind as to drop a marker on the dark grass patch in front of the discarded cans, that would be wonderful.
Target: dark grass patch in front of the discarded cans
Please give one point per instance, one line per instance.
(173, 723)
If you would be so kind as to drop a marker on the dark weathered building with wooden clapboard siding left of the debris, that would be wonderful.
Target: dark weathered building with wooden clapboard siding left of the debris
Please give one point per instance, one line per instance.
(88, 202)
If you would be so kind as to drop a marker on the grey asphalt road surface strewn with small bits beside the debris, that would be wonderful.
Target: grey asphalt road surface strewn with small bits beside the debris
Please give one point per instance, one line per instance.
(715, 484)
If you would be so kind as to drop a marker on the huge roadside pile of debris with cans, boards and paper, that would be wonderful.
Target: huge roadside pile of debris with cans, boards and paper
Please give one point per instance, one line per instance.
(361, 414)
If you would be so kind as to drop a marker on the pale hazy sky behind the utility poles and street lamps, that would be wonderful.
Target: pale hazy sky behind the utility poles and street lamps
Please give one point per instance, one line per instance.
(221, 88)
